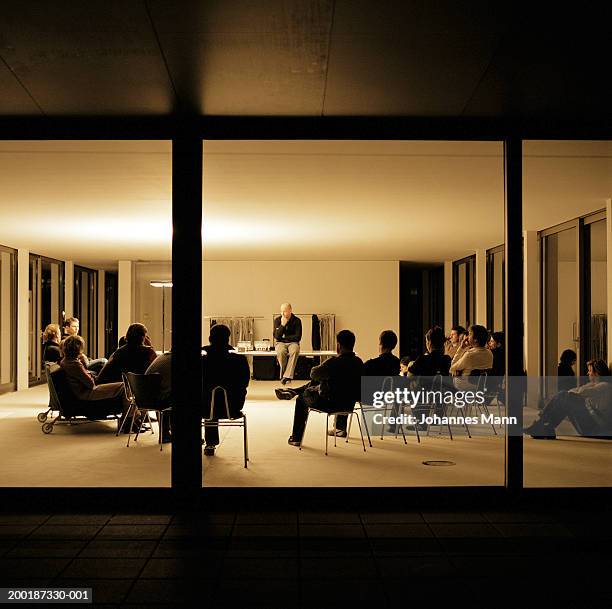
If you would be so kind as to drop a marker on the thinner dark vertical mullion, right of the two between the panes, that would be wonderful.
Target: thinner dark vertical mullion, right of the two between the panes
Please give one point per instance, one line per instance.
(514, 327)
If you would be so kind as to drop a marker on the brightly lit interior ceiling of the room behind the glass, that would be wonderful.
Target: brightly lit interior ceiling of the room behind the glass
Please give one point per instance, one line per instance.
(99, 201)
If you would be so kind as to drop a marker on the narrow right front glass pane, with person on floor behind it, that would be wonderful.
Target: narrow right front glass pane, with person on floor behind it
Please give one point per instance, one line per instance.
(565, 182)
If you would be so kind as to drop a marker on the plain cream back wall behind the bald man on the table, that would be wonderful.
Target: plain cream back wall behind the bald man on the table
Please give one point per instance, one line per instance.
(364, 295)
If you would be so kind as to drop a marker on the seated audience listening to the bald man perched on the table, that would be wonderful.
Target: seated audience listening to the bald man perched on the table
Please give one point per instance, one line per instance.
(335, 384)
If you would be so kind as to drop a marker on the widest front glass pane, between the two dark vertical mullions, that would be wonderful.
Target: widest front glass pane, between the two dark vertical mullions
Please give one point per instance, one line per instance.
(266, 242)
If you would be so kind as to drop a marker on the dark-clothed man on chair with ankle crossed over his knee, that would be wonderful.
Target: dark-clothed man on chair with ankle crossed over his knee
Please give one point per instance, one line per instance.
(335, 387)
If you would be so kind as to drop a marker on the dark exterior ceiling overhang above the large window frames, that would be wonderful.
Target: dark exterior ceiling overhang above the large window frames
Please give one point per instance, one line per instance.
(305, 57)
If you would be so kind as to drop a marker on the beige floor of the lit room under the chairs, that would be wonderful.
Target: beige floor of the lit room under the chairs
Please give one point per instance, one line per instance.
(91, 455)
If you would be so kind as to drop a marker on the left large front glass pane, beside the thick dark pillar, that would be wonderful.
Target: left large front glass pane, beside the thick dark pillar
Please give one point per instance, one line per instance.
(127, 216)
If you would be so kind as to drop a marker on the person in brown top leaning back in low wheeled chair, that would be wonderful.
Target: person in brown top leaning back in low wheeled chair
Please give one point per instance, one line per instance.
(81, 382)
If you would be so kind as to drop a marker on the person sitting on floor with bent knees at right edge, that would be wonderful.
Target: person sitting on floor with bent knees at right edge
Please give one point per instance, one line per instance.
(588, 407)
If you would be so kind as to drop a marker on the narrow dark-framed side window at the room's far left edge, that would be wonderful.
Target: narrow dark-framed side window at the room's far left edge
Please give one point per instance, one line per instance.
(8, 319)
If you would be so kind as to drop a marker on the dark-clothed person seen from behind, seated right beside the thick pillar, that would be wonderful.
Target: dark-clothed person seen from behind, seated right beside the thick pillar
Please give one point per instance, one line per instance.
(220, 368)
